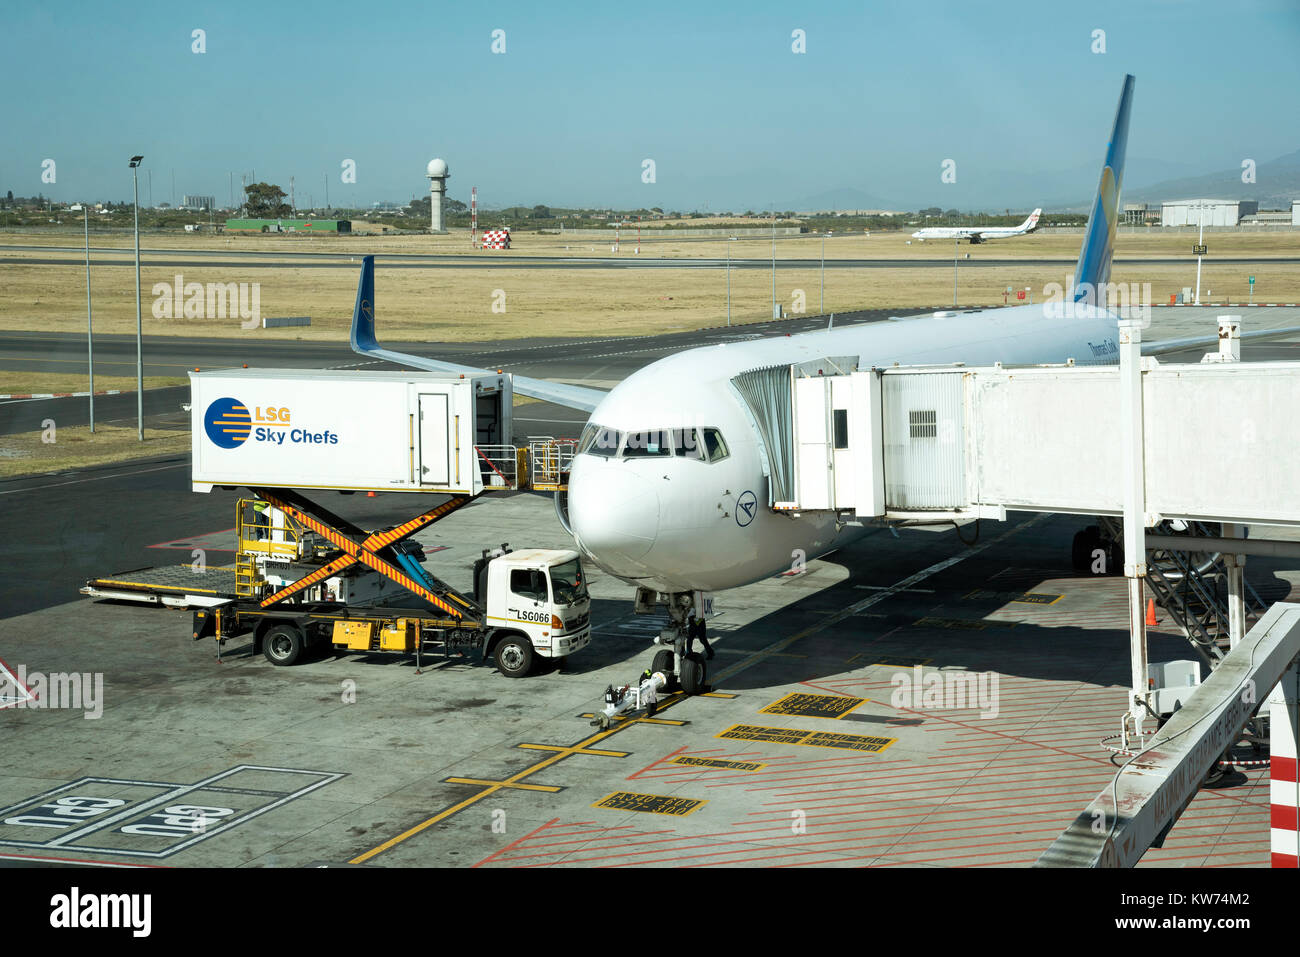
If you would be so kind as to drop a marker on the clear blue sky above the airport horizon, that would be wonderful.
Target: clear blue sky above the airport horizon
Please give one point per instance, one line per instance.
(587, 92)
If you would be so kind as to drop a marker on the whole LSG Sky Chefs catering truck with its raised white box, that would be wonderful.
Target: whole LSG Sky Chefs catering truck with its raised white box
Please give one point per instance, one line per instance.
(306, 577)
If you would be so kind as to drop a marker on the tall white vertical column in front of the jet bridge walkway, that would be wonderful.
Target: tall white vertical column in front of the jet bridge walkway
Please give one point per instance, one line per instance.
(1136, 517)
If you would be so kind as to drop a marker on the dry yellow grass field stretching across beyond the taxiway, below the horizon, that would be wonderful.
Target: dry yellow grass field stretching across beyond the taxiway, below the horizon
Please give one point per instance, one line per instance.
(457, 304)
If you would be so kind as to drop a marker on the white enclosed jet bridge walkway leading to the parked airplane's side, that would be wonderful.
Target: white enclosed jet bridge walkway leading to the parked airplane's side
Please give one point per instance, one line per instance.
(956, 443)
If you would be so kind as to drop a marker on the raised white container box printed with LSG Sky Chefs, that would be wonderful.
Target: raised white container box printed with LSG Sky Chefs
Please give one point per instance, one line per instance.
(352, 431)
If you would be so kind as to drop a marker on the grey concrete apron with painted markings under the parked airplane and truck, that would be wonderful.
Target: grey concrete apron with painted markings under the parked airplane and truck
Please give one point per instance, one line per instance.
(821, 743)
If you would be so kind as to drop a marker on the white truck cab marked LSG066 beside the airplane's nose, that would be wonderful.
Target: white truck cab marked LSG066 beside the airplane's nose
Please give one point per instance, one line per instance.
(536, 603)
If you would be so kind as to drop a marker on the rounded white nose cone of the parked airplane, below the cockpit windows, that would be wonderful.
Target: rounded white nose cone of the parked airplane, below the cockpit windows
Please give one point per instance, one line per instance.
(614, 513)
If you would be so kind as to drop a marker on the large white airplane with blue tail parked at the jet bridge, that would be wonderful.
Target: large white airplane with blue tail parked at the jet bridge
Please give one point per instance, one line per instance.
(673, 482)
